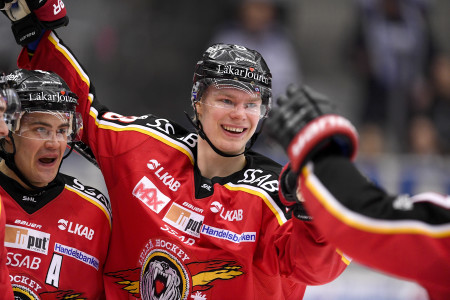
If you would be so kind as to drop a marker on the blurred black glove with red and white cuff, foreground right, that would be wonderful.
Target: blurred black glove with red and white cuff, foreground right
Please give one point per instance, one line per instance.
(305, 124)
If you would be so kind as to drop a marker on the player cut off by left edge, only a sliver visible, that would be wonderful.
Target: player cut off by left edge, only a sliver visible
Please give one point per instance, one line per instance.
(9, 109)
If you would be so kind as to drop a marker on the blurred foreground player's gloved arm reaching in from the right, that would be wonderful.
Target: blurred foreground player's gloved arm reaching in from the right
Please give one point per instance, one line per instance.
(406, 236)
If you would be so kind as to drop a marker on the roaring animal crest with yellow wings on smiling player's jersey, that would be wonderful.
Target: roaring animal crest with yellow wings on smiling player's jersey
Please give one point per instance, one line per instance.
(168, 272)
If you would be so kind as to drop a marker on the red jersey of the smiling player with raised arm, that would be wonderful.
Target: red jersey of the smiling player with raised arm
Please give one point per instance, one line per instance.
(178, 235)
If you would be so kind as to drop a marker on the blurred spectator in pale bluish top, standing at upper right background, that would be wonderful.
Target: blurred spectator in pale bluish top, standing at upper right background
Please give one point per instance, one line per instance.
(392, 49)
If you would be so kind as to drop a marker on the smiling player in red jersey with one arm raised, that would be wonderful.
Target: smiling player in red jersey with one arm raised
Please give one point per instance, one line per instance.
(197, 215)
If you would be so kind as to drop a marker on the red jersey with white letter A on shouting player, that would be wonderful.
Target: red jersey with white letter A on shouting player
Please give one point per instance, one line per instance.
(57, 240)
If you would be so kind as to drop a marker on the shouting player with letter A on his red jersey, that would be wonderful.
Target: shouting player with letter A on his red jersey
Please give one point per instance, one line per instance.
(57, 230)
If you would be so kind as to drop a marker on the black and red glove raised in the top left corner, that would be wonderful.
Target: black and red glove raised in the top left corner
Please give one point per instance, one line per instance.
(31, 17)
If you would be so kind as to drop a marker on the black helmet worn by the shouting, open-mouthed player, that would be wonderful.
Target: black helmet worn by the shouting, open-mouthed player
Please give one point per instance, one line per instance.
(41, 91)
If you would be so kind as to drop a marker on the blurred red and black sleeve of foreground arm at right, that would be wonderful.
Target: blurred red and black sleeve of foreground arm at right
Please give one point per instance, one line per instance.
(401, 235)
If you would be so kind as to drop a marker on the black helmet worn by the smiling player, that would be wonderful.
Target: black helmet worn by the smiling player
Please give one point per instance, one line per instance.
(233, 65)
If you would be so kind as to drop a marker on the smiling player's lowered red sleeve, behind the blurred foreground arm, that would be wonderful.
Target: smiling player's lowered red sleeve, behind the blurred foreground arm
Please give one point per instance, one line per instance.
(296, 249)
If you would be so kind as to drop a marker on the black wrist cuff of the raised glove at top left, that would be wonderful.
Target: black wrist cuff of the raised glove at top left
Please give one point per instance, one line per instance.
(27, 29)
